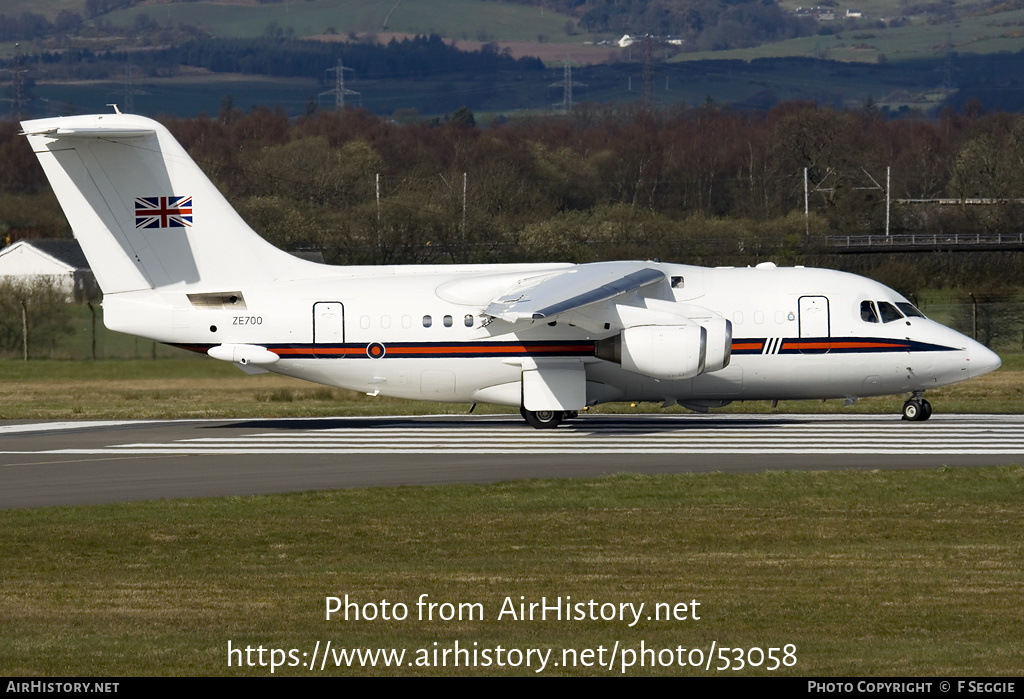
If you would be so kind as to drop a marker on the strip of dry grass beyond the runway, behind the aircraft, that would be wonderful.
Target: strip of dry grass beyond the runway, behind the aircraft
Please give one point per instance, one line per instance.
(200, 387)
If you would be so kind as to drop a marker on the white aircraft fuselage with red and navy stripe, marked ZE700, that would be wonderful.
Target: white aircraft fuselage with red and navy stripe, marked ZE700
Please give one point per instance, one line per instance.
(421, 333)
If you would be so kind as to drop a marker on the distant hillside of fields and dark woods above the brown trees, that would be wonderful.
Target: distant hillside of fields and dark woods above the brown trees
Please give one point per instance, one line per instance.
(188, 58)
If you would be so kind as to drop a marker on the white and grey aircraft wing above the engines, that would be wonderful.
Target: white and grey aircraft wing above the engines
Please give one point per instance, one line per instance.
(544, 297)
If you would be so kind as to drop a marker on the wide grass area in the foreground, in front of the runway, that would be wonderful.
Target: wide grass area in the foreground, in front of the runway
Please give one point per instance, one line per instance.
(866, 574)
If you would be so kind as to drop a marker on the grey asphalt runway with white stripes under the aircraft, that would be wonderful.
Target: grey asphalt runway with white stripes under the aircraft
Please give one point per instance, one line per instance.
(79, 463)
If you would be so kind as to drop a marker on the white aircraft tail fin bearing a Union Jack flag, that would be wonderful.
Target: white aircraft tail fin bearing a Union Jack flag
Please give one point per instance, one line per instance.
(145, 213)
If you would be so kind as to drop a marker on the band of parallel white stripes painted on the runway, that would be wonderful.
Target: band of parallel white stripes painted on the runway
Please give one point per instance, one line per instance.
(736, 436)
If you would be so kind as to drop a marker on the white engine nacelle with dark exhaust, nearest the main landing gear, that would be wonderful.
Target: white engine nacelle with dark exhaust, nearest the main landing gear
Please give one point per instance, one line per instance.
(667, 353)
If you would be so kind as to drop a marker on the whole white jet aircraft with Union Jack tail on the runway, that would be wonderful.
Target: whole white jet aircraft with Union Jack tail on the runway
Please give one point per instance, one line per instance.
(178, 266)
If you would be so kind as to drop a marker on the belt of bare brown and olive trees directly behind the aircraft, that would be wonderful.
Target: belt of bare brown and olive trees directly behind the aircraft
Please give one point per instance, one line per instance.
(707, 186)
